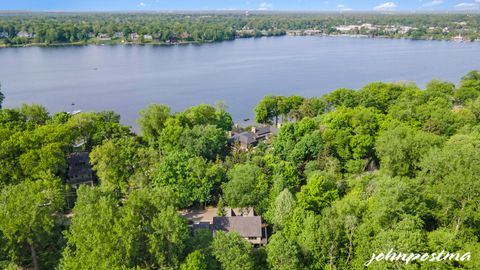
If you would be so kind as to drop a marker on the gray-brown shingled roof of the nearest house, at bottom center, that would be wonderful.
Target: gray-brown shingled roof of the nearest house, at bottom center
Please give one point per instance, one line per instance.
(245, 226)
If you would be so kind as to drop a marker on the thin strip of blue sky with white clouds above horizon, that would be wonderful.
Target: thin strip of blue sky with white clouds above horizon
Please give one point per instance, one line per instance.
(327, 5)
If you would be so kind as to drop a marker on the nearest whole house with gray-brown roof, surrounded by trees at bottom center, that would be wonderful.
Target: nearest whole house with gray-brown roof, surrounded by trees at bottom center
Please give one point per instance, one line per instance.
(248, 225)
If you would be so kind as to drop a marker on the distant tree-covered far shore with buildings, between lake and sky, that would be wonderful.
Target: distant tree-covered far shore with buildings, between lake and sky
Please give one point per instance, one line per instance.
(168, 28)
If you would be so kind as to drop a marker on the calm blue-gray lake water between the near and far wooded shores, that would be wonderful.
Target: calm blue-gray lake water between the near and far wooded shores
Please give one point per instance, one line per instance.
(240, 72)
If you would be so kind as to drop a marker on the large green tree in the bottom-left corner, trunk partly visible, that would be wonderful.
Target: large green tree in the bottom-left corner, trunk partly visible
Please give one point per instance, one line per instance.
(29, 213)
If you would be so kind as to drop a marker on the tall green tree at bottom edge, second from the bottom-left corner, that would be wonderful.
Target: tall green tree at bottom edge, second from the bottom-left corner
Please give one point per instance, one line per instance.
(91, 238)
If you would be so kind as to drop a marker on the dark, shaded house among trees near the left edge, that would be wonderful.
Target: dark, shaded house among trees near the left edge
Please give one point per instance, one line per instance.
(79, 170)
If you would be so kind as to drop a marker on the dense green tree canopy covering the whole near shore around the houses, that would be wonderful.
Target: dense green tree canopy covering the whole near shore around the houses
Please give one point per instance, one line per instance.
(349, 174)
